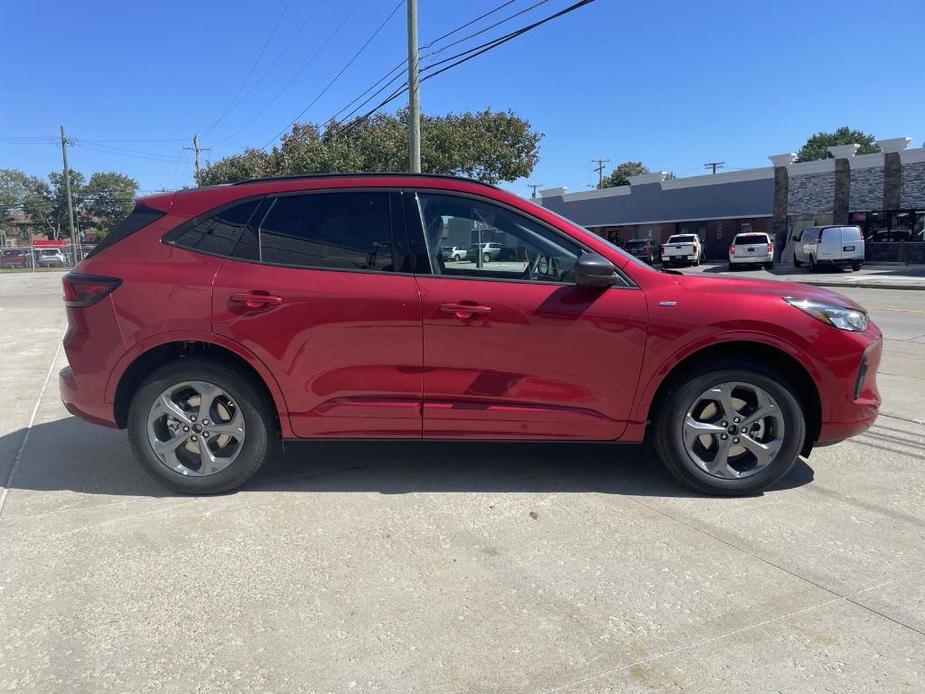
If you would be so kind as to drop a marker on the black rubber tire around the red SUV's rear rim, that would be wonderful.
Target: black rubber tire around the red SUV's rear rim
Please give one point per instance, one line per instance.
(259, 422)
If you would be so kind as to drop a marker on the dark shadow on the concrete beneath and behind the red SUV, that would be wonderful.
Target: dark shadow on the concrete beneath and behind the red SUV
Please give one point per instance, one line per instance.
(71, 455)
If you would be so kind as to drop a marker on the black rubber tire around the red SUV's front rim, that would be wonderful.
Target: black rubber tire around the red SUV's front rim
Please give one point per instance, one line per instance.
(668, 437)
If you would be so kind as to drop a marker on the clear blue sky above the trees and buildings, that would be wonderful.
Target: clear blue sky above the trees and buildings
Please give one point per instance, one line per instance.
(673, 84)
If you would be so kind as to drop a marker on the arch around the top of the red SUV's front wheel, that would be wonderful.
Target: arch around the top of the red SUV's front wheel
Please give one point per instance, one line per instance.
(781, 361)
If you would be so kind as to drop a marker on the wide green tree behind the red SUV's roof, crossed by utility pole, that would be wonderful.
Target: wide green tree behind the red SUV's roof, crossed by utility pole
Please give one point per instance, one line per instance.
(491, 146)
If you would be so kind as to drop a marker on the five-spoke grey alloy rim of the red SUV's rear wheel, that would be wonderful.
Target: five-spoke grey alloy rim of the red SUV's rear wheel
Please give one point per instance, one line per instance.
(195, 428)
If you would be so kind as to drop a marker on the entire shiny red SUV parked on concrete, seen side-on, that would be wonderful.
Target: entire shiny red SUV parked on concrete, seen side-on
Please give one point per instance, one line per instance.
(213, 322)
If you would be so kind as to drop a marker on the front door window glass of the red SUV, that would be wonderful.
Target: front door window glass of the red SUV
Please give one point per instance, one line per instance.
(499, 243)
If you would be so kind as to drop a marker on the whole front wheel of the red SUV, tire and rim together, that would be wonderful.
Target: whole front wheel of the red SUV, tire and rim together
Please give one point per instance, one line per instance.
(730, 431)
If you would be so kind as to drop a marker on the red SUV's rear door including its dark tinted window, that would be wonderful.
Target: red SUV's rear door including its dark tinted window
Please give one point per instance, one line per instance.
(325, 298)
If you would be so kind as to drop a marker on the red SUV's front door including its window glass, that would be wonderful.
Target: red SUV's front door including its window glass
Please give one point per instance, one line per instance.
(512, 348)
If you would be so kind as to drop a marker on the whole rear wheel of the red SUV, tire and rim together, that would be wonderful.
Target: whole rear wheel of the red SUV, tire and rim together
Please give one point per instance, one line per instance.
(199, 427)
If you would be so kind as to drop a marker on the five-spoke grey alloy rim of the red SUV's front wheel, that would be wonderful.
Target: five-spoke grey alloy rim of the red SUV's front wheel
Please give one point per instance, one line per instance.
(733, 430)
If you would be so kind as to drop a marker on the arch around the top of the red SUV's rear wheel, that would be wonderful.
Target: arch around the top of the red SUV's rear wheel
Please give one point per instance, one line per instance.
(140, 364)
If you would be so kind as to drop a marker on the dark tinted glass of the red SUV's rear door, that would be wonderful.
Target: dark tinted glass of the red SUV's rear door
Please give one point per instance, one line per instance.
(350, 231)
